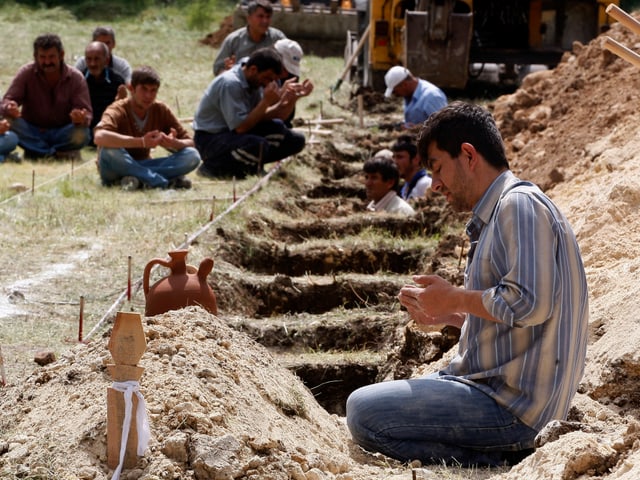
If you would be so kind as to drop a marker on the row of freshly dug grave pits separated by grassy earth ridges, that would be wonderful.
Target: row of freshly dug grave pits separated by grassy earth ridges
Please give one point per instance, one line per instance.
(319, 289)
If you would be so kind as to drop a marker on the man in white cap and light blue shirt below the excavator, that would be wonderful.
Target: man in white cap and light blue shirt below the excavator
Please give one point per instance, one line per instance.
(421, 98)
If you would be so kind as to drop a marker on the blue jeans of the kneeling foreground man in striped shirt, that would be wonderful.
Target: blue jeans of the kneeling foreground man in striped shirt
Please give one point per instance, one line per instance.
(433, 419)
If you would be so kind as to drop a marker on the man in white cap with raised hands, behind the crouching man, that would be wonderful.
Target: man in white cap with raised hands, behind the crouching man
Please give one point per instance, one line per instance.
(291, 89)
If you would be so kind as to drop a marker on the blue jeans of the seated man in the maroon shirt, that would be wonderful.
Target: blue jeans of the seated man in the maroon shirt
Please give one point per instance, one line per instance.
(48, 141)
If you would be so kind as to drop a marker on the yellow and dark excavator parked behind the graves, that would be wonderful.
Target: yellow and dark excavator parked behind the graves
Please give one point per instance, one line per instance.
(447, 41)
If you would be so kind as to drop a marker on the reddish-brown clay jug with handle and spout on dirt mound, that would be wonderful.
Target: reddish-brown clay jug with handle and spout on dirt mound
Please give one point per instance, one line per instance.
(185, 285)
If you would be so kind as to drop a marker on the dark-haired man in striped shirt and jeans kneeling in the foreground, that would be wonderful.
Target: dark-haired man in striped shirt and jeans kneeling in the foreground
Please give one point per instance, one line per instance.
(523, 312)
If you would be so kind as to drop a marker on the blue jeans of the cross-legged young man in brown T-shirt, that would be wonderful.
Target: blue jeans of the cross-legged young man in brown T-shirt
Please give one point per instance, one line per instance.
(116, 163)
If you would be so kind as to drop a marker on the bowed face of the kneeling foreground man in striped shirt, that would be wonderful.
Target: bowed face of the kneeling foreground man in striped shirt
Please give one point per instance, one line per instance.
(450, 178)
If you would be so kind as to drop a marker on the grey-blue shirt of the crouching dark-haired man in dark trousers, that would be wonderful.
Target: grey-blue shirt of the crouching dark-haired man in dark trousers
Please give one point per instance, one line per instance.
(226, 102)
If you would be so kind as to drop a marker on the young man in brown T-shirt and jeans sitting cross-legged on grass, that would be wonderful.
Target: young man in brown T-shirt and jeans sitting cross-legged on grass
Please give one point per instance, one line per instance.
(131, 127)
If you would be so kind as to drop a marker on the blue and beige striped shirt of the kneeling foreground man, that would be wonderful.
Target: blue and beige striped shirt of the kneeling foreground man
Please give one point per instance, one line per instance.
(528, 265)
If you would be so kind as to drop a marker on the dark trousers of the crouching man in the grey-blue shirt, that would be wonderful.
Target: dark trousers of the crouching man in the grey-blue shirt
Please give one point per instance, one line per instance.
(228, 154)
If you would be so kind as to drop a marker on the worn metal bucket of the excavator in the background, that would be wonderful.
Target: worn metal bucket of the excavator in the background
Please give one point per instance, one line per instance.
(436, 45)
